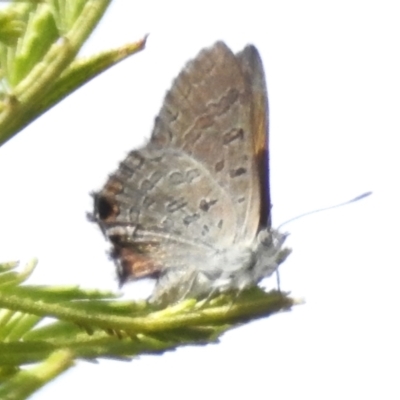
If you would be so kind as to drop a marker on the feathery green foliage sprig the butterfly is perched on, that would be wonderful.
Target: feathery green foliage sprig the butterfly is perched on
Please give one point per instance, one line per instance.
(89, 324)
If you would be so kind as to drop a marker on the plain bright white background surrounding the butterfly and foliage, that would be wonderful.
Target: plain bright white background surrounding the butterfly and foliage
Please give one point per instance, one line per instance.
(333, 76)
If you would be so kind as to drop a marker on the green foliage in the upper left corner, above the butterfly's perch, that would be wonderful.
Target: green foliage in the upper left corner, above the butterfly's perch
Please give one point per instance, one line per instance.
(38, 47)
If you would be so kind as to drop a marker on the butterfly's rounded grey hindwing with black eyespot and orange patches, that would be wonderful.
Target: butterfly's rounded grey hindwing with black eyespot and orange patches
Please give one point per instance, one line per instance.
(149, 209)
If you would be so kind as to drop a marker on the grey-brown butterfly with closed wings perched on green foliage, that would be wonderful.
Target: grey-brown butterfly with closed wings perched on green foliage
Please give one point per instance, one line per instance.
(192, 207)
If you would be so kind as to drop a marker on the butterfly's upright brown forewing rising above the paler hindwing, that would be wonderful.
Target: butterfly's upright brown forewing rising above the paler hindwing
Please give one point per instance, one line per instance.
(216, 113)
